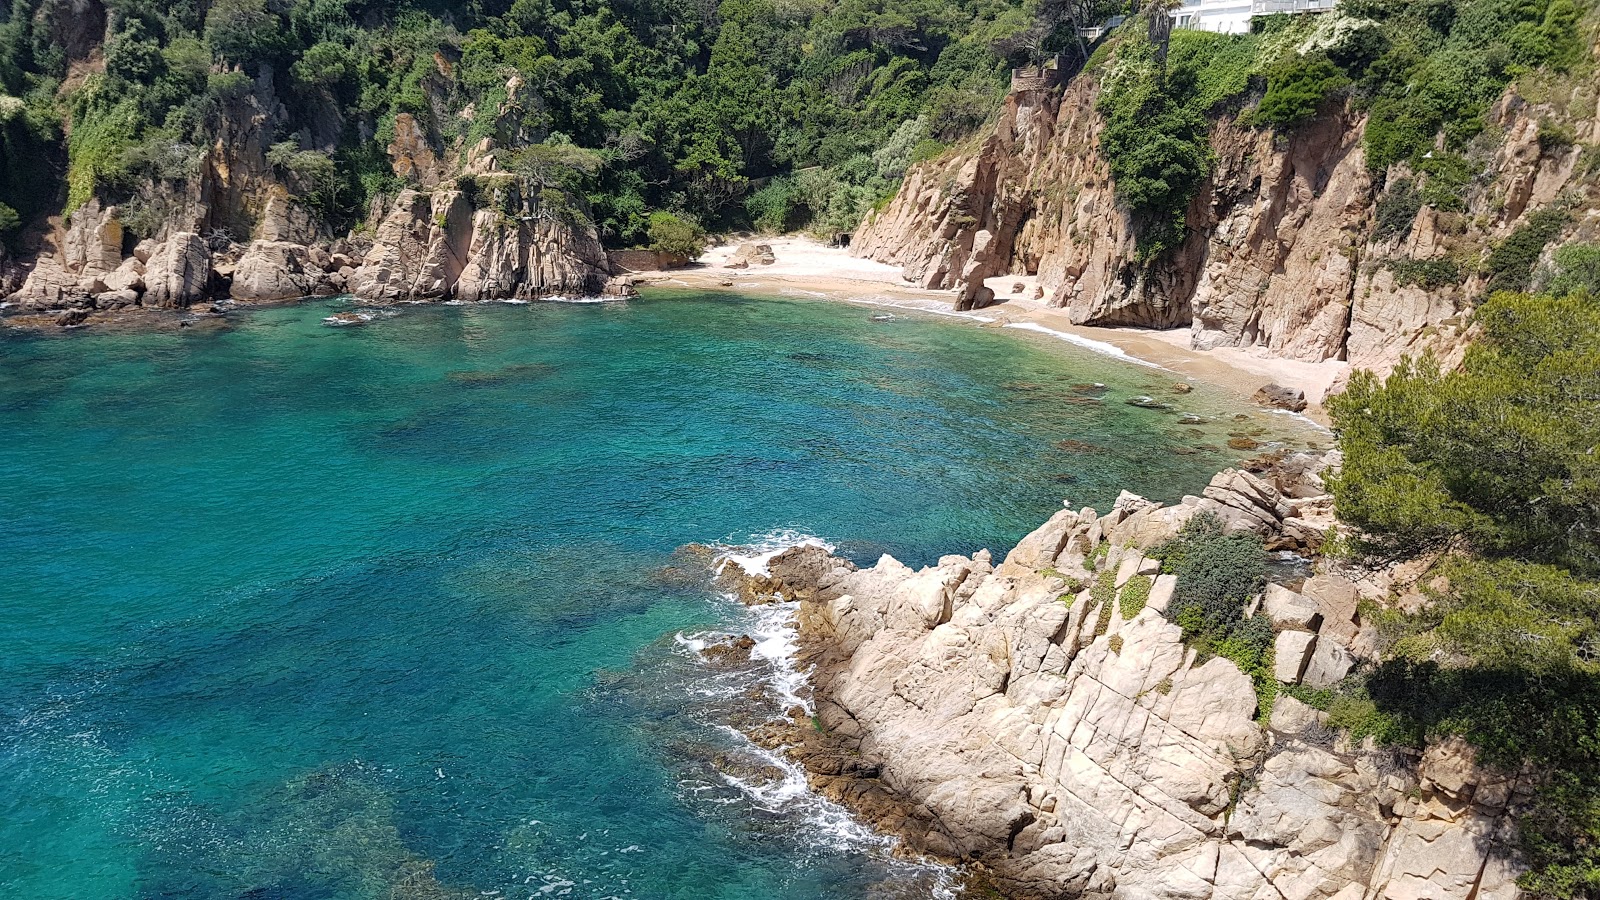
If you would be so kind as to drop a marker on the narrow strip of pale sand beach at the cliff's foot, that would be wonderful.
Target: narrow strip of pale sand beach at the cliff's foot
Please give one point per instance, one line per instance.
(807, 268)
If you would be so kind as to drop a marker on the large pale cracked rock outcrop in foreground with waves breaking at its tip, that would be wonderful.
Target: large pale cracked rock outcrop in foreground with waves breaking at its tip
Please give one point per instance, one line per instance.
(994, 713)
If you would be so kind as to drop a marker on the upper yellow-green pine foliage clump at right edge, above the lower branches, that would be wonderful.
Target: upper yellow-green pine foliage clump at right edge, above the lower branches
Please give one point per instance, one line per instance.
(1497, 454)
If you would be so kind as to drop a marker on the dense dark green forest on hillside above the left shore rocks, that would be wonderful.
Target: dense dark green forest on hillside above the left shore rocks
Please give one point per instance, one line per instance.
(695, 108)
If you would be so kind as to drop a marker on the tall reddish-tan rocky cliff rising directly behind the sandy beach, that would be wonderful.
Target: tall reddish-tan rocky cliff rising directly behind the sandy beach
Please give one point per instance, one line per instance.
(1282, 251)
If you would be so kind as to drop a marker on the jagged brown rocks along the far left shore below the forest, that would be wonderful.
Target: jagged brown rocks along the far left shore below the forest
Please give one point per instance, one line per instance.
(236, 227)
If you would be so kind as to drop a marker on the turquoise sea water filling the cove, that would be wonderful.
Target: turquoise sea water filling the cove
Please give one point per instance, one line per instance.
(394, 611)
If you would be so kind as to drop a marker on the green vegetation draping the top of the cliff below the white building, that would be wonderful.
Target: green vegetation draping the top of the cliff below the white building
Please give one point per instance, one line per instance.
(1426, 74)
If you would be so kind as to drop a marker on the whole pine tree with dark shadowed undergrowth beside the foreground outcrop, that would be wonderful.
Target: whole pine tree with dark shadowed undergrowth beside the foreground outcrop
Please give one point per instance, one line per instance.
(1497, 467)
